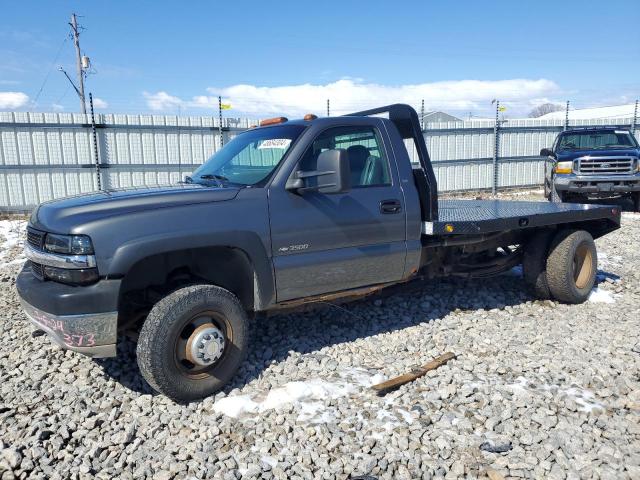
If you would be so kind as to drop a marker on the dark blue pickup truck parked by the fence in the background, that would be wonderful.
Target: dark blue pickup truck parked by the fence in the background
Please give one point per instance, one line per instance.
(600, 162)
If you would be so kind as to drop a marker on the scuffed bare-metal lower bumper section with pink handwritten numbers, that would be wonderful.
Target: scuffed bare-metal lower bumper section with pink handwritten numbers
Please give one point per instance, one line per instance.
(92, 334)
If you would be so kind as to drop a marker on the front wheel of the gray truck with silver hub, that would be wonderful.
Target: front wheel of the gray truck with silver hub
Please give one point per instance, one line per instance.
(193, 342)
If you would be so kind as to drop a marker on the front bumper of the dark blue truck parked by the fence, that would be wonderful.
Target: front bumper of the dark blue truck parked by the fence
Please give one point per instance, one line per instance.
(600, 184)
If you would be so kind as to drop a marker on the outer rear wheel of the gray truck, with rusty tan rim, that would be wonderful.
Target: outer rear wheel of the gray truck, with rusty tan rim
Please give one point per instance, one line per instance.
(571, 266)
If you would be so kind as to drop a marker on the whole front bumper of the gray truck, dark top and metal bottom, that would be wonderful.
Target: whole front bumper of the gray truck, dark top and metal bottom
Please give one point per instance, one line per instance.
(81, 319)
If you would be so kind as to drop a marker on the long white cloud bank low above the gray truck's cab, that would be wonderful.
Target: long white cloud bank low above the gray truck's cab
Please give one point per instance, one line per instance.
(352, 94)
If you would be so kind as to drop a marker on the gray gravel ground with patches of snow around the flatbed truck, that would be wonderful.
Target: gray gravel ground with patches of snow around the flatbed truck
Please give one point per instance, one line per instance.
(539, 390)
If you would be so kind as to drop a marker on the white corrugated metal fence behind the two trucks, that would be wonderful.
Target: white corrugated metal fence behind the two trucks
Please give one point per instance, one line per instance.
(44, 156)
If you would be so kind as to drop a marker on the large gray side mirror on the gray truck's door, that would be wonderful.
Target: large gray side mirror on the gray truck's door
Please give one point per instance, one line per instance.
(332, 175)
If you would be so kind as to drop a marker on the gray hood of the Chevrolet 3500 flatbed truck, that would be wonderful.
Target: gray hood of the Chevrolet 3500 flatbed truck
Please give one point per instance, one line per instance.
(60, 216)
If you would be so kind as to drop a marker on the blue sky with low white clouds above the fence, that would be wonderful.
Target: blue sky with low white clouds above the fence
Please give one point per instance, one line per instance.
(289, 57)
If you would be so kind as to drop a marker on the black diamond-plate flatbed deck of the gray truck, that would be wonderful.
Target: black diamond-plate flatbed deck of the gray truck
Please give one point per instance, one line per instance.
(465, 217)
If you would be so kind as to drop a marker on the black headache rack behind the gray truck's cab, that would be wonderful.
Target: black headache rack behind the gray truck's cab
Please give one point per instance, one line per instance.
(406, 121)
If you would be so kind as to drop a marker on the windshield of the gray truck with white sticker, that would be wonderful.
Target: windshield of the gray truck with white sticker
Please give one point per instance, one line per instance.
(249, 158)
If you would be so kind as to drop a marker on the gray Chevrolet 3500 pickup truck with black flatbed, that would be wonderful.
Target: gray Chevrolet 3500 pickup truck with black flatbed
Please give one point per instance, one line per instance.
(286, 214)
